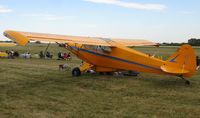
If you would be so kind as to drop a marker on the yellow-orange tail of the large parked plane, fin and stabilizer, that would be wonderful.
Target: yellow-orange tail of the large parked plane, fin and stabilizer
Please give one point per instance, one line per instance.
(182, 63)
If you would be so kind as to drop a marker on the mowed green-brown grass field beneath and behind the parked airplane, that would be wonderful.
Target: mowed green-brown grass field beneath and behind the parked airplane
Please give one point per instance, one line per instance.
(36, 88)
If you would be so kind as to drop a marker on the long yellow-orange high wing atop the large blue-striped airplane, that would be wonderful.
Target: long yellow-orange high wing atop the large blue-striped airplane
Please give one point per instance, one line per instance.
(23, 38)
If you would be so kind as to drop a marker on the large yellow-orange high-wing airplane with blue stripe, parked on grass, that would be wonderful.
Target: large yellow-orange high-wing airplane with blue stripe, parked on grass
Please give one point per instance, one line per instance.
(114, 55)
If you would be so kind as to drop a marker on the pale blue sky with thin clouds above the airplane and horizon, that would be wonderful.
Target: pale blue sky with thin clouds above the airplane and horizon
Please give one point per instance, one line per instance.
(155, 20)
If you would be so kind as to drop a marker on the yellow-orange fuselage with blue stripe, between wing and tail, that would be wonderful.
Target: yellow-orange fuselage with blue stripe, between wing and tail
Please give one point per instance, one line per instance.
(119, 58)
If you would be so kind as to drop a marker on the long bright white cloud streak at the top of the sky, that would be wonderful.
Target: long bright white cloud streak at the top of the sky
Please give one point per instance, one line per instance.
(157, 7)
